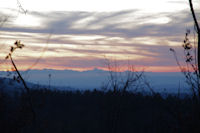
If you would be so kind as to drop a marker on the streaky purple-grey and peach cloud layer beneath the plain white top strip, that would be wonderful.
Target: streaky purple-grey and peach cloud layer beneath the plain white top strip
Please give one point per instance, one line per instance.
(83, 39)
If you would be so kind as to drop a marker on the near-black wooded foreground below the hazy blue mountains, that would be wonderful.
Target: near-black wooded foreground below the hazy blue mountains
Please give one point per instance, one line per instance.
(97, 112)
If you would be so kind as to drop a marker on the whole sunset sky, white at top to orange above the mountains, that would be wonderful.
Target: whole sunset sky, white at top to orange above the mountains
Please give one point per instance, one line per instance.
(82, 34)
